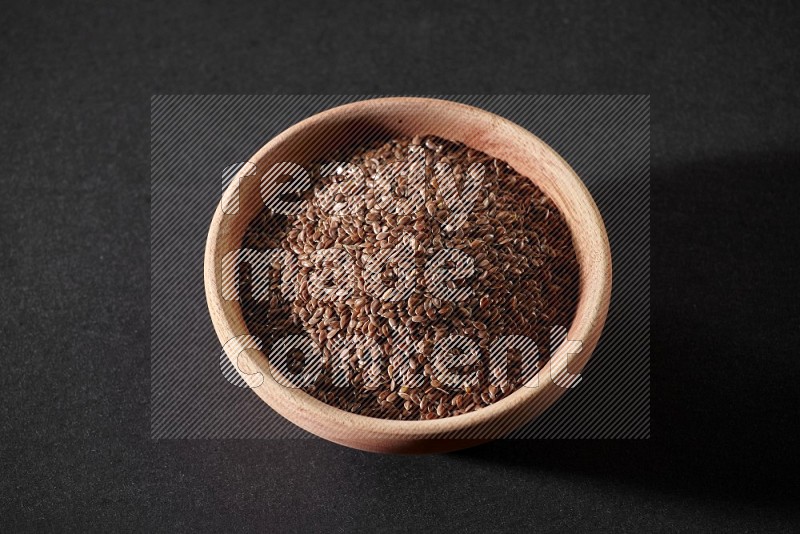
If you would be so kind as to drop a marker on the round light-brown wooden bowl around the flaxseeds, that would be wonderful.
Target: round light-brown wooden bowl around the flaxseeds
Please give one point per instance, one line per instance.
(317, 137)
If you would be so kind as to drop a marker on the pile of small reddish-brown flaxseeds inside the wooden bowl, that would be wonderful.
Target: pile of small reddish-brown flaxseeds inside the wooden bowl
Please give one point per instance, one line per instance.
(405, 246)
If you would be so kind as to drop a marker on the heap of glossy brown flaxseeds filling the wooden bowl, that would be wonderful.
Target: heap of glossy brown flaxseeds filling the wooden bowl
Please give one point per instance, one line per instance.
(513, 230)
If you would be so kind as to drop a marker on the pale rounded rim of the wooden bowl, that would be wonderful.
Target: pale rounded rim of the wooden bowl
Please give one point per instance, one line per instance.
(300, 407)
